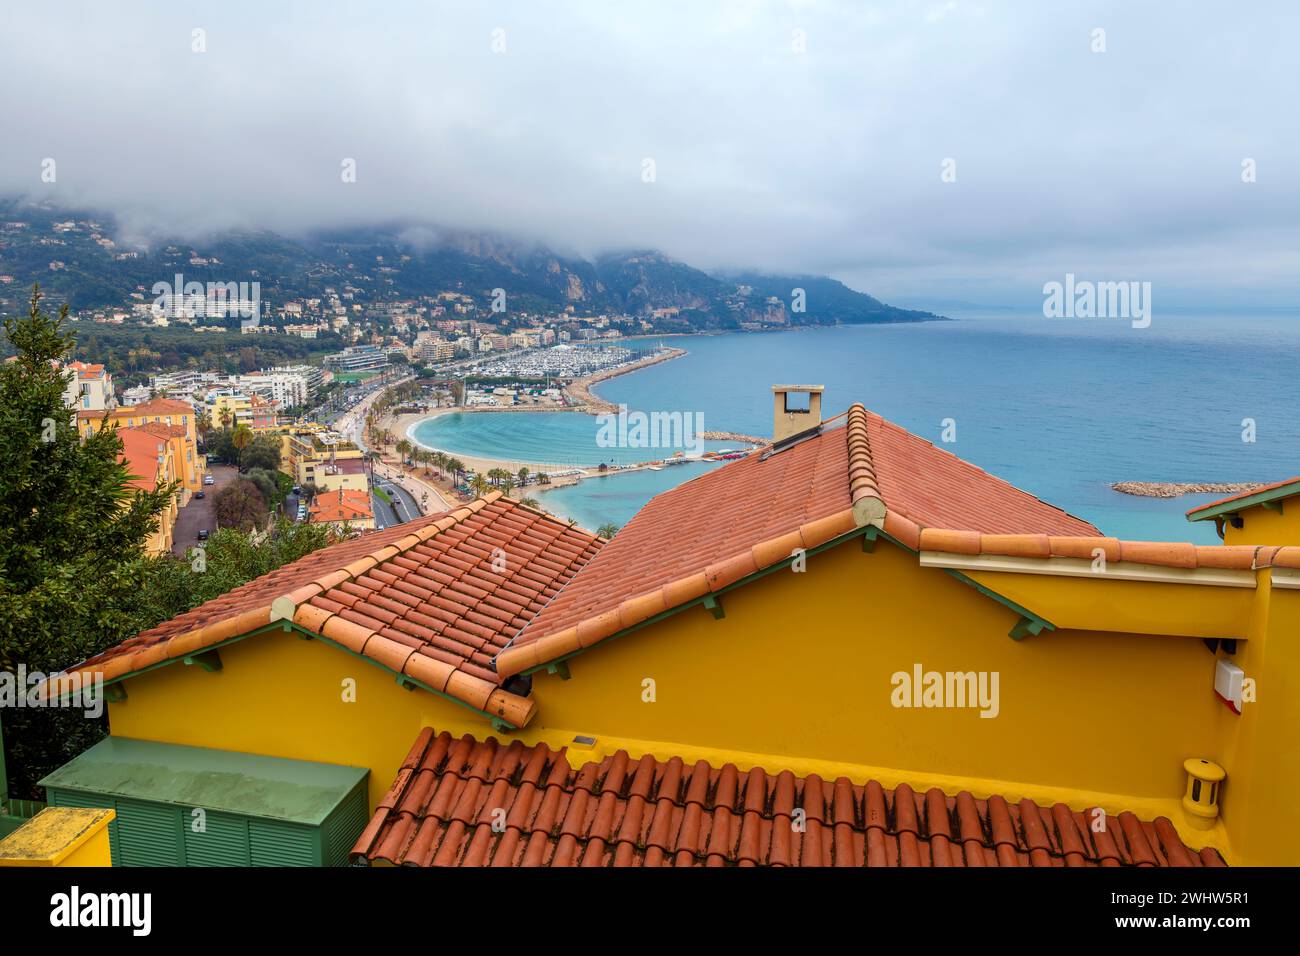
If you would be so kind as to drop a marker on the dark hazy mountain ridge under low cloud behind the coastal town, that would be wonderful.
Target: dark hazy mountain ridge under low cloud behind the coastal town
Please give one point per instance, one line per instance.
(81, 259)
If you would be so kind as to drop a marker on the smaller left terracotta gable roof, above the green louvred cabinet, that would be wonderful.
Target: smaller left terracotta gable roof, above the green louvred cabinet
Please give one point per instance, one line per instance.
(432, 599)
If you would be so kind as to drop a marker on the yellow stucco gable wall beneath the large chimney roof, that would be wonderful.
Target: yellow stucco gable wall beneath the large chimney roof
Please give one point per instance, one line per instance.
(803, 665)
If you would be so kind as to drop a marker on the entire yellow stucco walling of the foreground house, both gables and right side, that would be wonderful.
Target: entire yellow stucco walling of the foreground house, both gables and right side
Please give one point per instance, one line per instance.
(799, 674)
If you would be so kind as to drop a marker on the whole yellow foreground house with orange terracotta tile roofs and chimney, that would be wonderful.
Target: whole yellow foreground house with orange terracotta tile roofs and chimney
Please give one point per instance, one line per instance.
(850, 648)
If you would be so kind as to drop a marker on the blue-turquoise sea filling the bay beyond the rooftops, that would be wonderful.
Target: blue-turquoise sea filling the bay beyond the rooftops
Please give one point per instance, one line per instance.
(1061, 408)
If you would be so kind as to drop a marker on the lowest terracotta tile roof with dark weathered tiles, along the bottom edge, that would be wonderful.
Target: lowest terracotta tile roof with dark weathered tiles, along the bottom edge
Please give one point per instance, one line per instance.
(622, 812)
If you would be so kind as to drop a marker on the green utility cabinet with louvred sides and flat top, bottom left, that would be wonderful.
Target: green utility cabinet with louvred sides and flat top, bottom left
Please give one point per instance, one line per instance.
(196, 807)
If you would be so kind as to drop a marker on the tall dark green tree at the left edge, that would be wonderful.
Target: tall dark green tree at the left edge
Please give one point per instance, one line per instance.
(72, 542)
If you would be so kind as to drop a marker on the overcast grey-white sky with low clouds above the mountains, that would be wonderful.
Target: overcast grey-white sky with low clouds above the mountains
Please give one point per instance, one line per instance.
(794, 137)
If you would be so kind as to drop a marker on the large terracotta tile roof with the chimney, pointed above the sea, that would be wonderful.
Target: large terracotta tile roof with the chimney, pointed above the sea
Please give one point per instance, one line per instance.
(736, 521)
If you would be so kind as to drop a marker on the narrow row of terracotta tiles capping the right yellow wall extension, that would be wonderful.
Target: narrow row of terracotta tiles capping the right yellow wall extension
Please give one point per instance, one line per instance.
(1160, 553)
